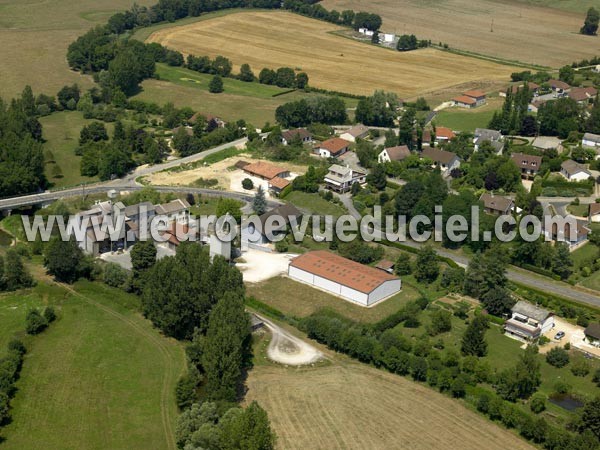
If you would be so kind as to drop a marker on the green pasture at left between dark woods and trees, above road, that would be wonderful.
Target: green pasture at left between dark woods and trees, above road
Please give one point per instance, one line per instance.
(61, 133)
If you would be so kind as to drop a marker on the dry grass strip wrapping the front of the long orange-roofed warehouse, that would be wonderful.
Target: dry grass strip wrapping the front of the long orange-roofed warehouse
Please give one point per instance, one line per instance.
(300, 300)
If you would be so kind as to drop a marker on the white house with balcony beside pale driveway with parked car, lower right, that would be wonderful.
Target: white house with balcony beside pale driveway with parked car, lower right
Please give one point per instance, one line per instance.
(528, 322)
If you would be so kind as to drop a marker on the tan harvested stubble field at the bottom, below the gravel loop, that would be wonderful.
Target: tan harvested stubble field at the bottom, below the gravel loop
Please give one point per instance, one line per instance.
(348, 405)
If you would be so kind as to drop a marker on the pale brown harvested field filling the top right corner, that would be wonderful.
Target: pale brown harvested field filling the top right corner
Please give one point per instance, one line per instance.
(521, 32)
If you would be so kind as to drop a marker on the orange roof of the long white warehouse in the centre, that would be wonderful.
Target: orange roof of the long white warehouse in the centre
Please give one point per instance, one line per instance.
(340, 270)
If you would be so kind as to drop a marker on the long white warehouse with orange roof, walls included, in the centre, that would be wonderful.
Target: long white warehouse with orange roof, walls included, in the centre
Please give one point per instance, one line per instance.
(342, 277)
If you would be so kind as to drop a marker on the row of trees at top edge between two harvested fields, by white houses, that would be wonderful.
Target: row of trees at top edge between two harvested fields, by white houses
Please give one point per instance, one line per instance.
(348, 18)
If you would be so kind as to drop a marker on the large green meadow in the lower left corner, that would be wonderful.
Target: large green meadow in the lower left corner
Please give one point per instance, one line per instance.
(99, 377)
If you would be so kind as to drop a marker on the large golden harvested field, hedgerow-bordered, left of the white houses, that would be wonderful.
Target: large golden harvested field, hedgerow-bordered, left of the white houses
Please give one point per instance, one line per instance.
(275, 39)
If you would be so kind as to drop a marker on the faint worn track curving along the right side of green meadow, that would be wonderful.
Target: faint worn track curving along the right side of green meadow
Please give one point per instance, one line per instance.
(168, 379)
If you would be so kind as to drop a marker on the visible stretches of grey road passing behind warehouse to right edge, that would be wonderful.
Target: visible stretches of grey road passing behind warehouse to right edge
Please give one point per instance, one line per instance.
(519, 276)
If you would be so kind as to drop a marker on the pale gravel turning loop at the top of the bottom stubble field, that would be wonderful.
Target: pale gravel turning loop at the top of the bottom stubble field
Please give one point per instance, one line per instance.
(287, 349)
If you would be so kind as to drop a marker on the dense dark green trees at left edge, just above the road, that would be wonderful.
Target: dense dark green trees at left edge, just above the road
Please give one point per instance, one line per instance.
(21, 155)
